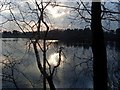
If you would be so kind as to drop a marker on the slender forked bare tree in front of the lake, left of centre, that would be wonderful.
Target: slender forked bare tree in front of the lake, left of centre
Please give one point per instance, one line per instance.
(38, 24)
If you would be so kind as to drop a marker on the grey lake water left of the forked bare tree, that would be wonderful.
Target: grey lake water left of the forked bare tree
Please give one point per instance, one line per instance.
(19, 65)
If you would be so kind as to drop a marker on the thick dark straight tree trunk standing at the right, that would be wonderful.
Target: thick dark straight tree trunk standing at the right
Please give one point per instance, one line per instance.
(99, 49)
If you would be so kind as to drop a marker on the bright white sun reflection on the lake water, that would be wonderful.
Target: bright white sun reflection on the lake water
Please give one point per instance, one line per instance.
(54, 58)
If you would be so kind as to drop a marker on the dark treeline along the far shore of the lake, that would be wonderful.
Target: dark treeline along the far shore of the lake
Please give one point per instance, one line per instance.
(69, 35)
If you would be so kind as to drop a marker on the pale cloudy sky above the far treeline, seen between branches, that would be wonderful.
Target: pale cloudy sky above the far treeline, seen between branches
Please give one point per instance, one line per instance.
(56, 17)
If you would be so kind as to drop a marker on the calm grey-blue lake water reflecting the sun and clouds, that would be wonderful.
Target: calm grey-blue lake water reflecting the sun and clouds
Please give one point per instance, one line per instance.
(75, 70)
